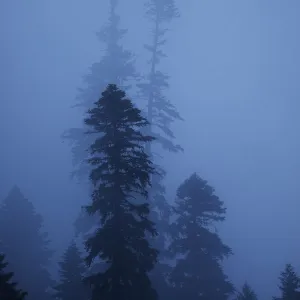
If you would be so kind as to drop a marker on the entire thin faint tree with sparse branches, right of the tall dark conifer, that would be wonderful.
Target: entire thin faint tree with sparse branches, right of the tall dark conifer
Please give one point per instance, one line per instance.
(160, 113)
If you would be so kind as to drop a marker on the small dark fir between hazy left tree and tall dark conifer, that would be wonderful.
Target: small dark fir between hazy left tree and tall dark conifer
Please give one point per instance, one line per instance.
(72, 271)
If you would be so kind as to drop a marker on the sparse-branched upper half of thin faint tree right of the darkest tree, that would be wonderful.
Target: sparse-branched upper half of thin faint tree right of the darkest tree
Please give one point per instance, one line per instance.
(160, 111)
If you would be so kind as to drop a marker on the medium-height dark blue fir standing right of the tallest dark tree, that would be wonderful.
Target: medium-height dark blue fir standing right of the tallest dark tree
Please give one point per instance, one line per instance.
(198, 274)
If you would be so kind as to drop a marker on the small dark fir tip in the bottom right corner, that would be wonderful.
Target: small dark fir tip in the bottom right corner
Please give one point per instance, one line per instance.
(289, 284)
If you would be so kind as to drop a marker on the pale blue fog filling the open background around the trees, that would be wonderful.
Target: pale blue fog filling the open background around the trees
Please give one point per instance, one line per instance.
(234, 68)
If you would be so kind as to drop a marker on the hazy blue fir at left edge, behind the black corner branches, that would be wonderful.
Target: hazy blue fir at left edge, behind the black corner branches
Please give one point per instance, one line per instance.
(25, 244)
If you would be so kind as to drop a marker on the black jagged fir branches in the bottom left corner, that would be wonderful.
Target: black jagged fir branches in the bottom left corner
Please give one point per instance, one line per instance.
(8, 289)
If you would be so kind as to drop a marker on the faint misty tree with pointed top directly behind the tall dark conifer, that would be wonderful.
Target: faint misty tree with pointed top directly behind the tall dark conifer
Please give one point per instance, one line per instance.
(116, 66)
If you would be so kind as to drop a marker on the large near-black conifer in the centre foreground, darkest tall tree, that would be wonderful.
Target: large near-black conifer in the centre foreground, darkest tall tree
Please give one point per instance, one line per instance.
(120, 176)
